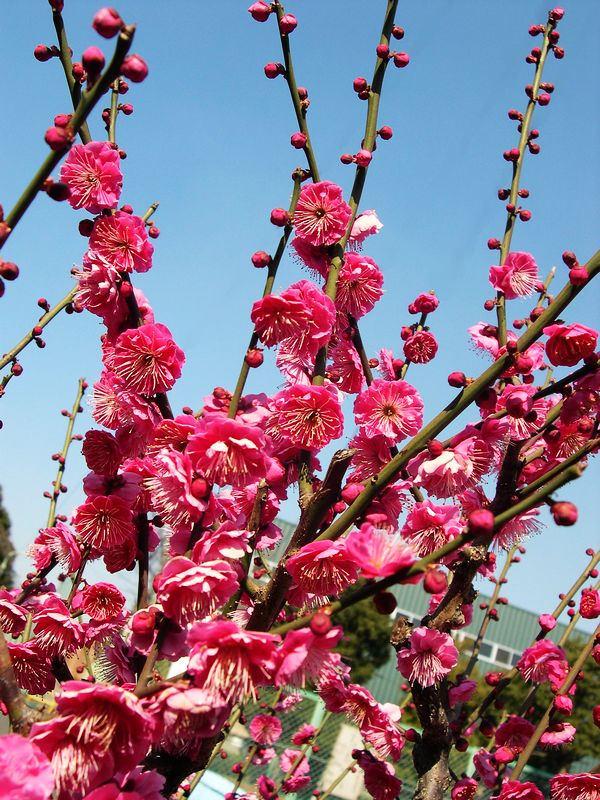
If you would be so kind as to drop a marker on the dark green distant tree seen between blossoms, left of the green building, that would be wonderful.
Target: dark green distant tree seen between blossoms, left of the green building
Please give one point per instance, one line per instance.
(364, 631)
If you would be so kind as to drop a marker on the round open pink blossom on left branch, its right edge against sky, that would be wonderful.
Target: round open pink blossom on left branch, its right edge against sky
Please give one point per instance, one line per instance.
(147, 359)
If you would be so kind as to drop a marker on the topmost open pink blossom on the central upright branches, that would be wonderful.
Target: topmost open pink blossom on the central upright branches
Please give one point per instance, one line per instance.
(321, 215)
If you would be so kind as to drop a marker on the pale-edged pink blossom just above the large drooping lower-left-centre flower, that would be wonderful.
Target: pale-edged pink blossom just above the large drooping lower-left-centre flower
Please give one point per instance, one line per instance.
(189, 592)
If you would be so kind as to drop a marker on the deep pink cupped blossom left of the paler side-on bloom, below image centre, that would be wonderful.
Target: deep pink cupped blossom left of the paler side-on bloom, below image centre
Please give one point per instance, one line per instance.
(323, 567)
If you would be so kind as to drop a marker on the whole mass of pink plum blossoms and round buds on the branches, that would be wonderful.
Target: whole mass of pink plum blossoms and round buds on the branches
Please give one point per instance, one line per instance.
(206, 489)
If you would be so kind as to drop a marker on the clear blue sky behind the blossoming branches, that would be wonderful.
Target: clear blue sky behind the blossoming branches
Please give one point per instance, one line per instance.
(209, 139)
